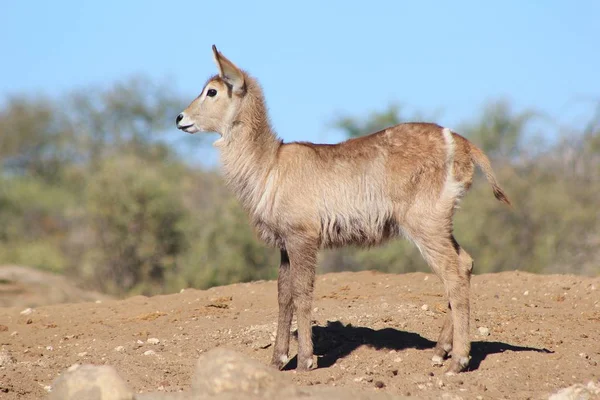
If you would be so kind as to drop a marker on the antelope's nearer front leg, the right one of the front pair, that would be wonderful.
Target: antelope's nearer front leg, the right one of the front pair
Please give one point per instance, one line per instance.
(303, 261)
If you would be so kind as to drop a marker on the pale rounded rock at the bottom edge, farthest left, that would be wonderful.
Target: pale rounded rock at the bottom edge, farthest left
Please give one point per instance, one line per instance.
(90, 382)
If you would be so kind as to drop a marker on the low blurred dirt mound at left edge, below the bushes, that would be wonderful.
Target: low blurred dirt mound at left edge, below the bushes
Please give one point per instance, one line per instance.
(29, 287)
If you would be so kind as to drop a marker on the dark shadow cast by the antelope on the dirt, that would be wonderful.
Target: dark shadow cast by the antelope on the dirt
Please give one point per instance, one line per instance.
(336, 340)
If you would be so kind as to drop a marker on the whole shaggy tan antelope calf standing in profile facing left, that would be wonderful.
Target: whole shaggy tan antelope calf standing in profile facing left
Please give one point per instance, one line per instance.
(405, 180)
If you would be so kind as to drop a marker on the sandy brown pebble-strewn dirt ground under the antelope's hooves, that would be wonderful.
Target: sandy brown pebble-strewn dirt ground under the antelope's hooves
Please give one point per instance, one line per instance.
(372, 331)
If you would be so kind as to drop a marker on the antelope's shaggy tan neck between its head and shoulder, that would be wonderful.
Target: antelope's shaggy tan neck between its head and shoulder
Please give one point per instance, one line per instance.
(249, 148)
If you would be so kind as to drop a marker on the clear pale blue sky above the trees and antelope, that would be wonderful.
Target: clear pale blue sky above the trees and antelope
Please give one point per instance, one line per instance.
(318, 59)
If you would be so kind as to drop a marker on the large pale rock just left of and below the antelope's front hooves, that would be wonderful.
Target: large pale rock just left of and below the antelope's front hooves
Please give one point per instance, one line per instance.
(221, 370)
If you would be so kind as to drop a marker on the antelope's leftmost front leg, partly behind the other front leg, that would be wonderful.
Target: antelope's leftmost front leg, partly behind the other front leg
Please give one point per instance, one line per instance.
(284, 322)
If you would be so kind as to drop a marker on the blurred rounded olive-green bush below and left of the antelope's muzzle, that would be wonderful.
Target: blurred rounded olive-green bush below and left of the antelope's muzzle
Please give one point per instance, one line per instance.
(135, 216)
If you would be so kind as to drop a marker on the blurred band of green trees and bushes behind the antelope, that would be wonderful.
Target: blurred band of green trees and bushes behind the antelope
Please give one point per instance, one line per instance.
(92, 187)
